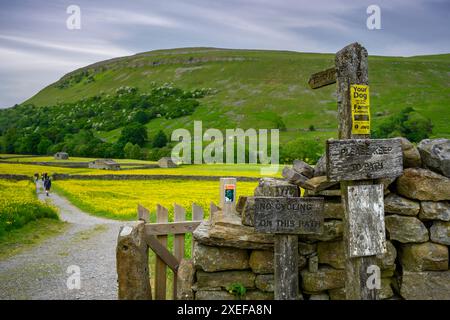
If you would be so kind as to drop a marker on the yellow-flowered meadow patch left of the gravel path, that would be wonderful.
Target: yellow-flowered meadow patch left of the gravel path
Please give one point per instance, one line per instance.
(19, 206)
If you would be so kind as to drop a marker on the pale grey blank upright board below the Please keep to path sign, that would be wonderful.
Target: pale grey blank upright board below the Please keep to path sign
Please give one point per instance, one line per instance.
(366, 220)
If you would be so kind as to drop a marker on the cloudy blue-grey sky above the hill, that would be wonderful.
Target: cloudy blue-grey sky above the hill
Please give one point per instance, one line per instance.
(37, 48)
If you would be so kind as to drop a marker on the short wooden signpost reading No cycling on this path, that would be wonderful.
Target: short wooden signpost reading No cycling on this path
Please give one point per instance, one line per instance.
(286, 217)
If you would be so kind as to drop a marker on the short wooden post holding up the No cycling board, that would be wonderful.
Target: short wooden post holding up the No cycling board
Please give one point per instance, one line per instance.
(286, 267)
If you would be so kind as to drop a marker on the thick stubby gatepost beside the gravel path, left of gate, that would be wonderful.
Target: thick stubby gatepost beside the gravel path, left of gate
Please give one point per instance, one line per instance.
(132, 264)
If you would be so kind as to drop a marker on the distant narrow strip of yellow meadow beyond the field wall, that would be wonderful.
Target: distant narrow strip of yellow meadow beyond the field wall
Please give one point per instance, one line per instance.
(222, 170)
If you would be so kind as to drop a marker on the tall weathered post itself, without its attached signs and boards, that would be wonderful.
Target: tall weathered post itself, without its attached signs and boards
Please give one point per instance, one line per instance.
(352, 68)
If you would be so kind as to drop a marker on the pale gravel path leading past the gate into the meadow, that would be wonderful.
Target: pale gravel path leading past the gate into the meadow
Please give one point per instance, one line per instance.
(41, 272)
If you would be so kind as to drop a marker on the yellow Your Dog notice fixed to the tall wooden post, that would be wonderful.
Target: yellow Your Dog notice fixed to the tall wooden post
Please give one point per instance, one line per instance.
(359, 98)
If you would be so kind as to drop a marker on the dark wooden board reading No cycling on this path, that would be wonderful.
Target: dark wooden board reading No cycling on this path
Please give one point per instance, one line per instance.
(289, 215)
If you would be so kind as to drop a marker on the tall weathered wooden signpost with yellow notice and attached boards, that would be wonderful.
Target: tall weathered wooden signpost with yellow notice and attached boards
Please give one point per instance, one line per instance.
(352, 160)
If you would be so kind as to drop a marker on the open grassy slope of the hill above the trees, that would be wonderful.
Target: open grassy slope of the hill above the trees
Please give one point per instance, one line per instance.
(255, 85)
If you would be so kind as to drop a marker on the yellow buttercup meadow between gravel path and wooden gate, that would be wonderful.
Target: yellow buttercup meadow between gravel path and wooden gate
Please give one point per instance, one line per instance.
(119, 199)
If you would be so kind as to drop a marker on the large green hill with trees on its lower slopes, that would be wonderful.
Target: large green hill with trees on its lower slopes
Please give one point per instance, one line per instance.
(127, 107)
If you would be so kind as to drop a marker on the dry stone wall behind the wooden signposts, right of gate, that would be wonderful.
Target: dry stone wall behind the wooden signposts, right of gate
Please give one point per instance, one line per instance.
(227, 250)
